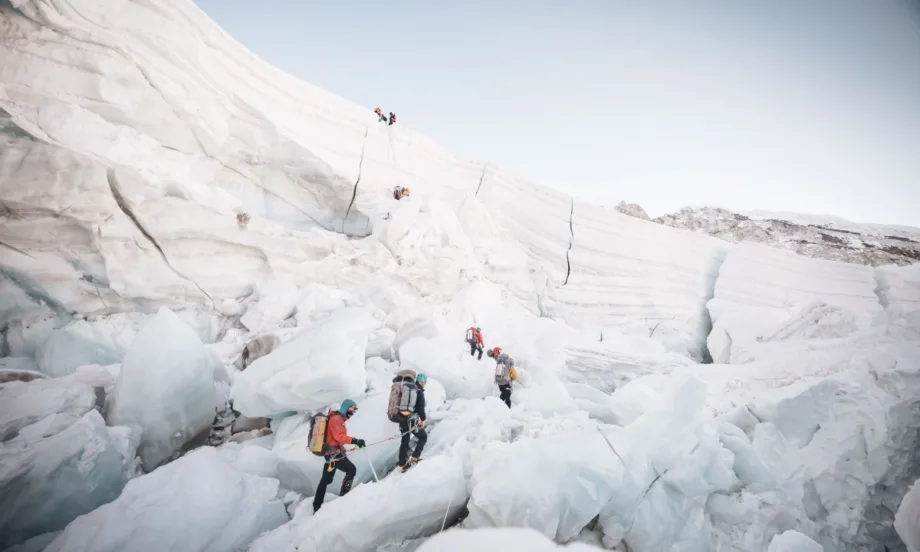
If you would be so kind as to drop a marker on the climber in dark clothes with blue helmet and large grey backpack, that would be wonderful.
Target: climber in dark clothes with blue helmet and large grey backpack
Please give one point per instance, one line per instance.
(406, 407)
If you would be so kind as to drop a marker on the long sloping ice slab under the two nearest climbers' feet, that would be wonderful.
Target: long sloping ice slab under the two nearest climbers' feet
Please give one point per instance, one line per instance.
(401, 506)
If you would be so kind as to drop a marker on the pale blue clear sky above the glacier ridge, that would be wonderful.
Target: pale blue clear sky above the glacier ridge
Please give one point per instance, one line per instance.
(811, 106)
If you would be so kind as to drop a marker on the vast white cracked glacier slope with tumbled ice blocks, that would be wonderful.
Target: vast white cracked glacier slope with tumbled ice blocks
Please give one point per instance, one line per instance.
(676, 391)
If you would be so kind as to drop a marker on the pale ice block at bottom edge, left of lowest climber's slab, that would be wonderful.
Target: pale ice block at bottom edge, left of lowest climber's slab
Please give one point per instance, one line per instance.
(197, 503)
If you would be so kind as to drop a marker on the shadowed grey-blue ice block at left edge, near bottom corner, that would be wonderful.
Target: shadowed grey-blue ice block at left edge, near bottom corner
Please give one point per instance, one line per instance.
(47, 482)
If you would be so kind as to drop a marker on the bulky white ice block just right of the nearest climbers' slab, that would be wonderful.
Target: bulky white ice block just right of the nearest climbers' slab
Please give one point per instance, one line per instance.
(554, 485)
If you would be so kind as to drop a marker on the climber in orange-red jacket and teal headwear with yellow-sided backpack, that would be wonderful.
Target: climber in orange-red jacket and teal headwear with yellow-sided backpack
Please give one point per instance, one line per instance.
(328, 437)
